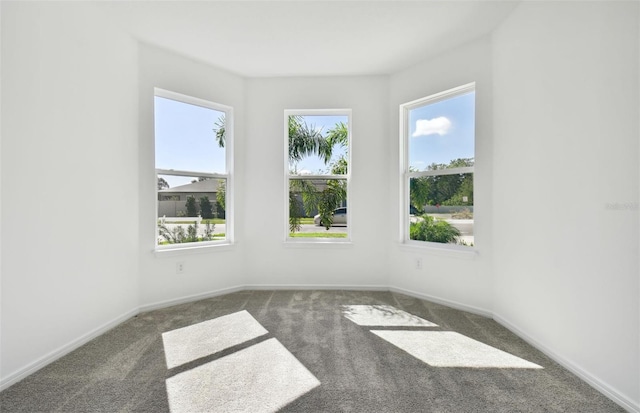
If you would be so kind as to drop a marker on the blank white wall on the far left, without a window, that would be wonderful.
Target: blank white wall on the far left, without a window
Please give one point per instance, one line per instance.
(69, 169)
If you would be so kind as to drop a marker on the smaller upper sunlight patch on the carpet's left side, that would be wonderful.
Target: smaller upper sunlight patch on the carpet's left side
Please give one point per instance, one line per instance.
(190, 343)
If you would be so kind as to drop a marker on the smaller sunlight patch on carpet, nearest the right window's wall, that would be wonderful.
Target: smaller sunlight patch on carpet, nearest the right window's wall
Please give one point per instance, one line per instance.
(383, 316)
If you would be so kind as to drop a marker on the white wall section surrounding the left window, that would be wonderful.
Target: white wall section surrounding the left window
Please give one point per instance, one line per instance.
(214, 269)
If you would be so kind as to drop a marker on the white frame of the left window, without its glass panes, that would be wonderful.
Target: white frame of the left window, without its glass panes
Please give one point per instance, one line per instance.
(227, 176)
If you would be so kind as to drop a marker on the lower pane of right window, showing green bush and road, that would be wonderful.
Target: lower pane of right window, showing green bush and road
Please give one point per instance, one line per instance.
(441, 209)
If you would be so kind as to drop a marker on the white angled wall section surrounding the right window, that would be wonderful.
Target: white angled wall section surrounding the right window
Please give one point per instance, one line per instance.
(454, 278)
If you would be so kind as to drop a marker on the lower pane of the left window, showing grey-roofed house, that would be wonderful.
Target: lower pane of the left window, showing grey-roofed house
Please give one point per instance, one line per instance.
(191, 212)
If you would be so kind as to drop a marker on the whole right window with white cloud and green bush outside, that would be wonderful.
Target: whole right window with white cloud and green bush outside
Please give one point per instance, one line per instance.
(438, 157)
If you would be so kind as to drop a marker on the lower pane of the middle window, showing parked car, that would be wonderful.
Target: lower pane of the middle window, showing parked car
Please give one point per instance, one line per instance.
(318, 208)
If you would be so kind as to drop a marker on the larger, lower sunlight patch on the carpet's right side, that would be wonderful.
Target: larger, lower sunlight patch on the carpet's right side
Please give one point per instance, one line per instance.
(450, 349)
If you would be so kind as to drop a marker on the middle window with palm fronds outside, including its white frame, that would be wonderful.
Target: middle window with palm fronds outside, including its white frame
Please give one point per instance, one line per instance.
(317, 175)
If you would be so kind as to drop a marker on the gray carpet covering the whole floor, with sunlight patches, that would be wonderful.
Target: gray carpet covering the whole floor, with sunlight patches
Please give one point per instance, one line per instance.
(358, 370)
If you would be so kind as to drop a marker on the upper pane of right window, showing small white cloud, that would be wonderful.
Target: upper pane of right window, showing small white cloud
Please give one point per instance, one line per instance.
(441, 134)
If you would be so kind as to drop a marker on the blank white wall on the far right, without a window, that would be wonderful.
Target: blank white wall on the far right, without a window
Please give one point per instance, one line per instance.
(565, 153)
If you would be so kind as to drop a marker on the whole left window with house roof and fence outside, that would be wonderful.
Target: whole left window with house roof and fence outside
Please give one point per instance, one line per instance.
(193, 144)
